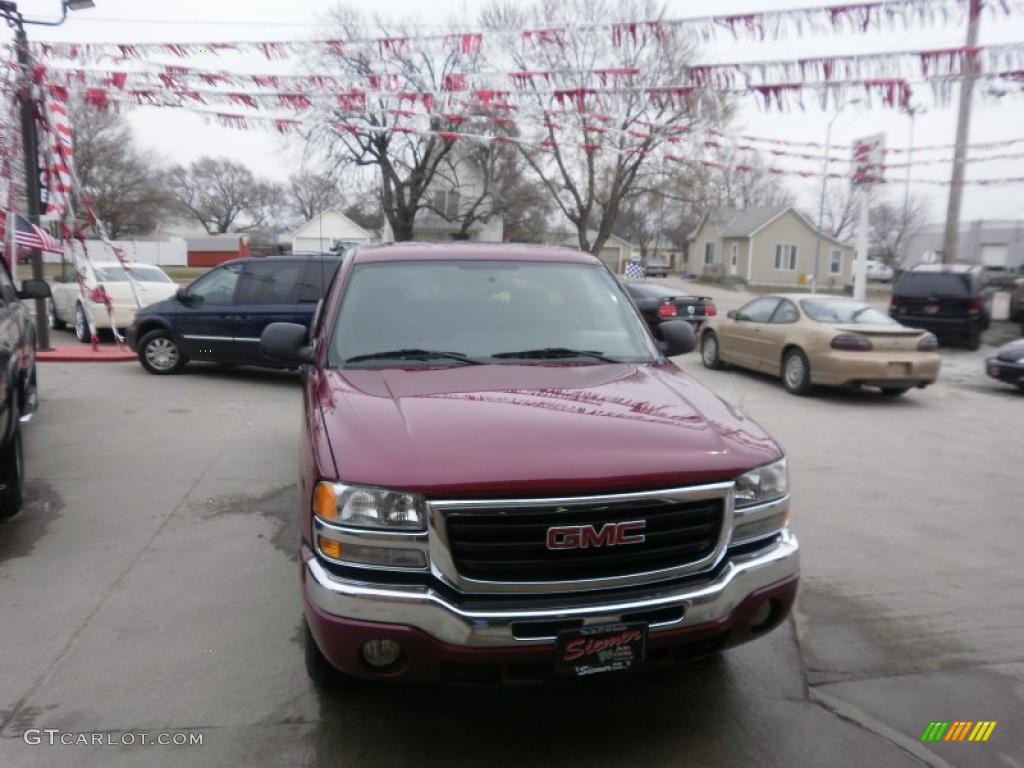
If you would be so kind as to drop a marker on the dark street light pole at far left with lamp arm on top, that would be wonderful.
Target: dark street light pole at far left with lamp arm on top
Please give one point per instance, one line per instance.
(30, 145)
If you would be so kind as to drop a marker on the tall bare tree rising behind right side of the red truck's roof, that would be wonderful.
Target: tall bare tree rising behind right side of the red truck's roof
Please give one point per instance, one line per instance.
(600, 144)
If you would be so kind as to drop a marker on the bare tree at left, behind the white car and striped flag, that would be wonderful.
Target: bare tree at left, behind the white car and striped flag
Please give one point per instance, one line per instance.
(122, 185)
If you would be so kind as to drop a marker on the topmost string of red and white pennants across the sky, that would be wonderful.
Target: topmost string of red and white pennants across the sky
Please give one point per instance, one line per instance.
(863, 18)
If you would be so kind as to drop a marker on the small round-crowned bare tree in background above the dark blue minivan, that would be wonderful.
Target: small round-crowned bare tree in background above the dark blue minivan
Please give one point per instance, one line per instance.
(224, 196)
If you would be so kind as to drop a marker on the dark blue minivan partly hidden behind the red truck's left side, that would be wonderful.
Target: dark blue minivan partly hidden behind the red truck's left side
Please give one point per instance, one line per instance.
(222, 316)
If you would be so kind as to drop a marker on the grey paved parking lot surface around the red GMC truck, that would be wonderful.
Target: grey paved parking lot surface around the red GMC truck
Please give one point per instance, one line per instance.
(151, 586)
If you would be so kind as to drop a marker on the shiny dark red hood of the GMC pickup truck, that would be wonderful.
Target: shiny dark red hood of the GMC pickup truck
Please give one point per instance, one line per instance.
(524, 431)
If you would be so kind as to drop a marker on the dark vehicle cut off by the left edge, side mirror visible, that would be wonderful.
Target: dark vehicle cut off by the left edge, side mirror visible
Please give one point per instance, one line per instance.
(19, 400)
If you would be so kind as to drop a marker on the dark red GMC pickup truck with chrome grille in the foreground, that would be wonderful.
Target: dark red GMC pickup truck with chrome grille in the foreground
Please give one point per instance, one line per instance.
(504, 480)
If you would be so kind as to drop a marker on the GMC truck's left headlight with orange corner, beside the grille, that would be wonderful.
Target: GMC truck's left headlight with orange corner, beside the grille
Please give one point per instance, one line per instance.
(360, 506)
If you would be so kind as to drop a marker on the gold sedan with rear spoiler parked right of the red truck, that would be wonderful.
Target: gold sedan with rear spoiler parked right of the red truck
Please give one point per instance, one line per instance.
(829, 340)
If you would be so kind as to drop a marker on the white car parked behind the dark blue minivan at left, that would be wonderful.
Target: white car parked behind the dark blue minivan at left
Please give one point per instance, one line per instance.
(69, 308)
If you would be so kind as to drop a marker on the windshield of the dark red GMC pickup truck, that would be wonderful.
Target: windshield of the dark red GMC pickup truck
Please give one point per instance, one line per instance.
(436, 313)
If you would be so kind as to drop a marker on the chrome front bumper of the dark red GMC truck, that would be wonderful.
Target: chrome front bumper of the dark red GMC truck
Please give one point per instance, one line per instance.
(426, 610)
